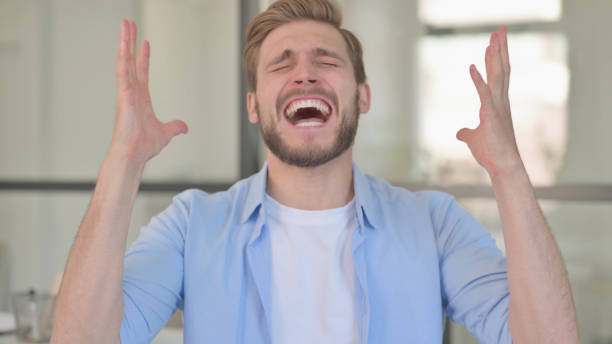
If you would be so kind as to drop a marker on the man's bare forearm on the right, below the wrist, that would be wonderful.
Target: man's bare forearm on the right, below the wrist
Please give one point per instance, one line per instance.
(541, 305)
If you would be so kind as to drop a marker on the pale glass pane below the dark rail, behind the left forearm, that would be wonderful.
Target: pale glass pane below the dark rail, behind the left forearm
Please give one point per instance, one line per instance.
(37, 230)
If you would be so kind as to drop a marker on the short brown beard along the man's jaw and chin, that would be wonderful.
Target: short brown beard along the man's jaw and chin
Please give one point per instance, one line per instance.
(311, 155)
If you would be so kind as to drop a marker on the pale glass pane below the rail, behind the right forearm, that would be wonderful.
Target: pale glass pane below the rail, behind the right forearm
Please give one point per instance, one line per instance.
(582, 231)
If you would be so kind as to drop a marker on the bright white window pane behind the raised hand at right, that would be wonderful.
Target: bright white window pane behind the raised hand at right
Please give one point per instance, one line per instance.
(448, 102)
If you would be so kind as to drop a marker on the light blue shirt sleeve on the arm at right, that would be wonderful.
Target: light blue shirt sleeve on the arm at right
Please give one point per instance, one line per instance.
(473, 272)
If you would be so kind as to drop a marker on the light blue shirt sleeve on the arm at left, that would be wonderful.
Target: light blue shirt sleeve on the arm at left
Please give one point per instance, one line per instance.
(153, 274)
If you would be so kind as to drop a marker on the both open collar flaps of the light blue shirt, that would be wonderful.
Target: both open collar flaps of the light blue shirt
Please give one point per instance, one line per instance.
(368, 209)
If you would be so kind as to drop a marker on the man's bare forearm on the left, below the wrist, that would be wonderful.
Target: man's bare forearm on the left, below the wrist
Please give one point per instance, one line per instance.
(90, 302)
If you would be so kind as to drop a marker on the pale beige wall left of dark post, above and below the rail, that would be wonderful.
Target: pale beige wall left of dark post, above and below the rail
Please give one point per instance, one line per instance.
(57, 102)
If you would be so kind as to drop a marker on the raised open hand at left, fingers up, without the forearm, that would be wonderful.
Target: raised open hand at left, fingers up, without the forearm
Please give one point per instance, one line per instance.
(139, 135)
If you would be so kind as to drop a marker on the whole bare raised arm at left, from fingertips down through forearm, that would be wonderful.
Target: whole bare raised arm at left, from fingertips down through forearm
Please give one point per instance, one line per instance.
(91, 292)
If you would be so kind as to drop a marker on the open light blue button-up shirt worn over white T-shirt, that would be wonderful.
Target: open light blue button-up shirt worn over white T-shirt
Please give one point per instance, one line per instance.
(417, 257)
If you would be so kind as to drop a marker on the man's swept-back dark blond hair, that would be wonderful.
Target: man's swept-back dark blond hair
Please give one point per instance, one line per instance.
(285, 11)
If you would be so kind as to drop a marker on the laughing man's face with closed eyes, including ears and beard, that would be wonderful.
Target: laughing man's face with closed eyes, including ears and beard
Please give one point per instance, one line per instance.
(307, 99)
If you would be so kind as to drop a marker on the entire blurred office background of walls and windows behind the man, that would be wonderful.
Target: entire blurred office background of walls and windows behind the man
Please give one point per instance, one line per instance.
(57, 100)
